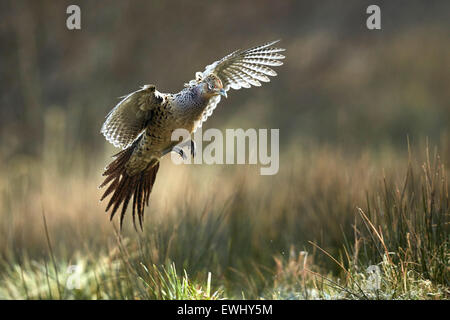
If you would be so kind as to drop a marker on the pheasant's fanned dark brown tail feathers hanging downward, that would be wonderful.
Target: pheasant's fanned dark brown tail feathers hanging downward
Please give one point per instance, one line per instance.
(123, 186)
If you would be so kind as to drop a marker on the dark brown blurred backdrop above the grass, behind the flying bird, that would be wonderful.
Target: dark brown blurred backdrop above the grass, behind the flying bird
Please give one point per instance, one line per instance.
(341, 83)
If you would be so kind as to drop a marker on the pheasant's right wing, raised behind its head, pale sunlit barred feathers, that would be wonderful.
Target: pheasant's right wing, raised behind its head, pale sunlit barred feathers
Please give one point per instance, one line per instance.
(246, 68)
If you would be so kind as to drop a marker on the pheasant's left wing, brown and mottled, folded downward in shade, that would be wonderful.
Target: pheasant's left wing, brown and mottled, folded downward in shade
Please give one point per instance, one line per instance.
(129, 117)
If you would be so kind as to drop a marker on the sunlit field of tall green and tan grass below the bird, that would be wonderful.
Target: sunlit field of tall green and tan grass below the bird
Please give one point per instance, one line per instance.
(330, 225)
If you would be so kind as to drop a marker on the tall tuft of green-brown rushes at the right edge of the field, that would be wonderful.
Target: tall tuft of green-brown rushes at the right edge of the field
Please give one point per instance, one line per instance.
(408, 224)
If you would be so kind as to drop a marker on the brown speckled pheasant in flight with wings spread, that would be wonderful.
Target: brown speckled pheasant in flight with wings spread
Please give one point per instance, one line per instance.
(143, 121)
